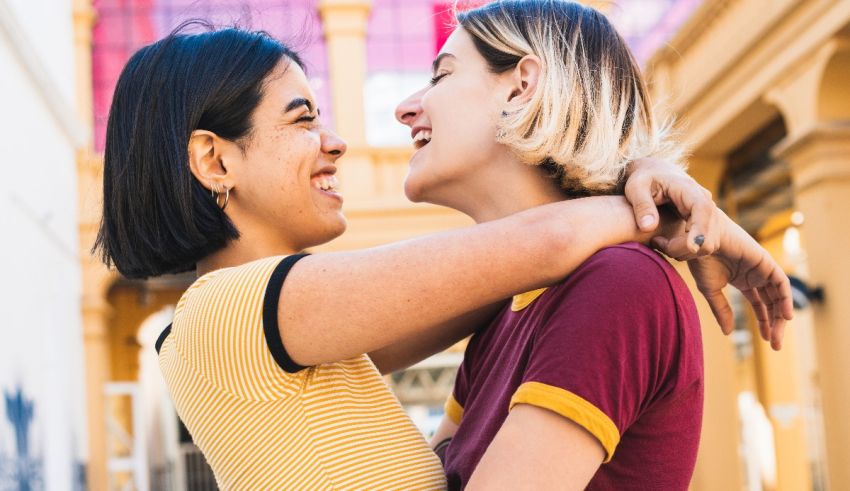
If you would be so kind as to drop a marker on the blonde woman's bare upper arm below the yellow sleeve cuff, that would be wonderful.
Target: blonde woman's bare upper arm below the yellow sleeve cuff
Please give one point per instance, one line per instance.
(536, 449)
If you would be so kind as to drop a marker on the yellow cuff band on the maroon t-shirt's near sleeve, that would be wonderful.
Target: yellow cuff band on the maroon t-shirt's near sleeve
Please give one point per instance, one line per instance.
(572, 407)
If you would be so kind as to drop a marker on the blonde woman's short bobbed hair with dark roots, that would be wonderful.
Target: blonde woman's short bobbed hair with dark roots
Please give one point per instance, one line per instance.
(590, 114)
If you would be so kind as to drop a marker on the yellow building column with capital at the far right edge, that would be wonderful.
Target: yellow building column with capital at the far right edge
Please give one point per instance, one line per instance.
(820, 163)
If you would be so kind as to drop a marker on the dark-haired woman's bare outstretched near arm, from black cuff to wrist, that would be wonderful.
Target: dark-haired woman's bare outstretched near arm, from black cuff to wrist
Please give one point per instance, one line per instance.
(340, 305)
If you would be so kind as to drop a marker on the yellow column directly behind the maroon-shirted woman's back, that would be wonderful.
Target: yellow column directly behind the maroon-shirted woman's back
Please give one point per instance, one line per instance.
(718, 463)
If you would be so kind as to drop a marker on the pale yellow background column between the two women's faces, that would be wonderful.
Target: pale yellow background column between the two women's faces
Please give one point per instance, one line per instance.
(344, 23)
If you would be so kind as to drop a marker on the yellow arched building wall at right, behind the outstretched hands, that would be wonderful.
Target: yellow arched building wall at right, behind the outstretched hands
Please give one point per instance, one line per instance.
(730, 70)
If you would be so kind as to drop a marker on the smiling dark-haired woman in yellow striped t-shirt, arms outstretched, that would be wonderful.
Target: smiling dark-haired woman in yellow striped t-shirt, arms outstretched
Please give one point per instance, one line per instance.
(215, 161)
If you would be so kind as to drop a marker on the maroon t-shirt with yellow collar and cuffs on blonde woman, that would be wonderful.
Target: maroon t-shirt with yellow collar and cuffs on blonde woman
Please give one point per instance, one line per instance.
(616, 348)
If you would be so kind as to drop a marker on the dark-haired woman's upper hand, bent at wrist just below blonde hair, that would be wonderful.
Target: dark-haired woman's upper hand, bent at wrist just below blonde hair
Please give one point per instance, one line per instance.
(652, 183)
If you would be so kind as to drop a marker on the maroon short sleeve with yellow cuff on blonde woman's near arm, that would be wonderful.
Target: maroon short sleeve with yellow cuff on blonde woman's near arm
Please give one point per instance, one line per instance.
(606, 349)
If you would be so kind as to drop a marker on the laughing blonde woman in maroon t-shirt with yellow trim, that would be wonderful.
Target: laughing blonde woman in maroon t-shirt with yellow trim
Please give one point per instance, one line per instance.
(596, 381)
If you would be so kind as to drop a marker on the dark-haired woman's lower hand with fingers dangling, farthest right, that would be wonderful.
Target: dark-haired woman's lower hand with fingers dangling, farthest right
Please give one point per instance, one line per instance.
(744, 264)
